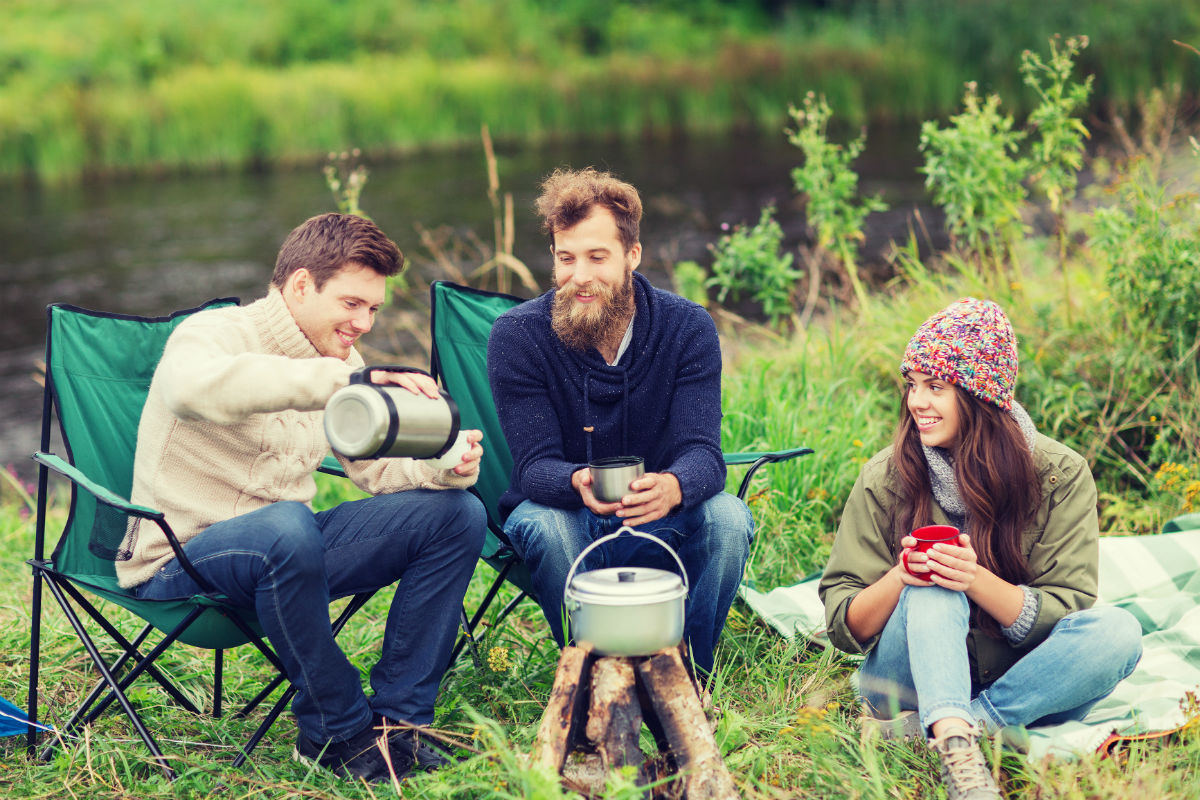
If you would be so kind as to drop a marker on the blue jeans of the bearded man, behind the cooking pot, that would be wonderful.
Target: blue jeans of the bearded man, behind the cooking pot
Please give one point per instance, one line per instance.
(713, 543)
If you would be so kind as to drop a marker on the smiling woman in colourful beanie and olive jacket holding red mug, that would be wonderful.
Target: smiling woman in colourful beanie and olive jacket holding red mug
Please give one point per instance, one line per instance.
(961, 637)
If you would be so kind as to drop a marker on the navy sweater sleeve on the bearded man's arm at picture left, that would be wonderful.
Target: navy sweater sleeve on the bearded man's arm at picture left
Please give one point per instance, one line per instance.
(532, 428)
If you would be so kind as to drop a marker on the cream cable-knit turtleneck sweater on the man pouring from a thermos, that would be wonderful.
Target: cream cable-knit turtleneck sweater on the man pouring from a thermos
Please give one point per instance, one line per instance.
(233, 423)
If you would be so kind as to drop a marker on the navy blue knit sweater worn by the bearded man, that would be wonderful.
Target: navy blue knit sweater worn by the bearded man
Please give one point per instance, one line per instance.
(561, 408)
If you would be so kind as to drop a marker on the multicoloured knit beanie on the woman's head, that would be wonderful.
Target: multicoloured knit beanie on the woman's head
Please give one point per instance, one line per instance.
(971, 345)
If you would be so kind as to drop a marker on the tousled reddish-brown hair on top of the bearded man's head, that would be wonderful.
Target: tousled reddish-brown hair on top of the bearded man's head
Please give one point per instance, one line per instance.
(568, 197)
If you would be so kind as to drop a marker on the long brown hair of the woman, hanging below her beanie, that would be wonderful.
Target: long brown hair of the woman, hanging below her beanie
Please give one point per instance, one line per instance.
(994, 470)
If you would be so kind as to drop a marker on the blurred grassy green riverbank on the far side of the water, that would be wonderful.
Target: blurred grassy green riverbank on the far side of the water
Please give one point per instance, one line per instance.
(107, 88)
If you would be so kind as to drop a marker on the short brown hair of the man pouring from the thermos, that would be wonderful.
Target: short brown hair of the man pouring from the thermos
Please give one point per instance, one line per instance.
(327, 243)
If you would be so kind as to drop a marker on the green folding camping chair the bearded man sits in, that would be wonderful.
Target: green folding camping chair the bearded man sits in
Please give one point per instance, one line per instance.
(461, 322)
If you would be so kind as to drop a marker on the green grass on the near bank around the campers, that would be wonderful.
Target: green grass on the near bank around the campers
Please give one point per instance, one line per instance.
(787, 719)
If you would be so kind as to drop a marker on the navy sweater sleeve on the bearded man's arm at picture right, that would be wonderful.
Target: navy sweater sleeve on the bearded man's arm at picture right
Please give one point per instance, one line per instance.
(695, 428)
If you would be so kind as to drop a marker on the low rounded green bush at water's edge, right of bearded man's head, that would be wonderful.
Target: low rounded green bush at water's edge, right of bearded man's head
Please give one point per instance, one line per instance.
(748, 261)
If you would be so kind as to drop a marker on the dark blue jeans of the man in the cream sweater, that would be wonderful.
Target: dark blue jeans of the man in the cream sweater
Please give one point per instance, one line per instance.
(287, 564)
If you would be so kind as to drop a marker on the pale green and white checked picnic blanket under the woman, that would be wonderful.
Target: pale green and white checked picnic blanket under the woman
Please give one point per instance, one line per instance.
(1157, 579)
